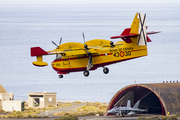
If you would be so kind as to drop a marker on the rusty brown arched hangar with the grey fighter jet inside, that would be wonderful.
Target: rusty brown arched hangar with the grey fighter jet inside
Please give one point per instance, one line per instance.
(158, 98)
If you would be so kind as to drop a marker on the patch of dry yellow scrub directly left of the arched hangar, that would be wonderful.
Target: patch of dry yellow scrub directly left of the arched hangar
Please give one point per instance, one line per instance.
(90, 109)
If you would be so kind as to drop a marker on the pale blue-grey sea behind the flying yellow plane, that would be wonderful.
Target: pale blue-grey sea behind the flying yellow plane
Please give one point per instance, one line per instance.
(23, 26)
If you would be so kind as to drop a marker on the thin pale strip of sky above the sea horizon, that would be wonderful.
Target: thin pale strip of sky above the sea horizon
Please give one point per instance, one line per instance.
(89, 1)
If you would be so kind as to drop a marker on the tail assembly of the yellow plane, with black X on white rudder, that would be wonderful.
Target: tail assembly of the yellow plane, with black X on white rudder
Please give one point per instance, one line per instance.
(137, 32)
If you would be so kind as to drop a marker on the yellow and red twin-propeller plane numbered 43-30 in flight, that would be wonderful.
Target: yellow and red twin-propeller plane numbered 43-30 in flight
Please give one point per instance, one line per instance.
(74, 56)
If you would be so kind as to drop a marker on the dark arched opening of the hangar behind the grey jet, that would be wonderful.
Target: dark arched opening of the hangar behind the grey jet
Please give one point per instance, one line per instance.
(149, 100)
